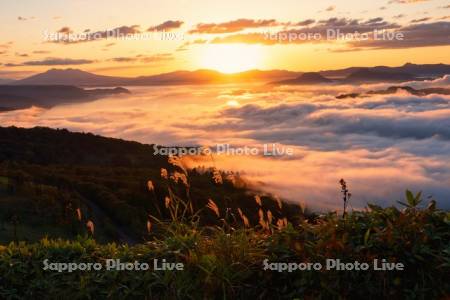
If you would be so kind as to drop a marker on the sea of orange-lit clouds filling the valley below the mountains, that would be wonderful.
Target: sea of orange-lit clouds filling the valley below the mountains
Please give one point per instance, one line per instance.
(381, 144)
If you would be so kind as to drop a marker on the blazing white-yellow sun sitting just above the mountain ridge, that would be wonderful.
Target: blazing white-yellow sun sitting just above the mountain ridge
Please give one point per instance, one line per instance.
(230, 58)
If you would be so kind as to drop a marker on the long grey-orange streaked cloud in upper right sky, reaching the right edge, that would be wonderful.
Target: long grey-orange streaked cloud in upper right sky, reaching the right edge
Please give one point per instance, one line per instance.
(416, 34)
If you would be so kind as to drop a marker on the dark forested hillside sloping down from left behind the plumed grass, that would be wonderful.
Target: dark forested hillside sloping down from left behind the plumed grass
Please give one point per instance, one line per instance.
(52, 173)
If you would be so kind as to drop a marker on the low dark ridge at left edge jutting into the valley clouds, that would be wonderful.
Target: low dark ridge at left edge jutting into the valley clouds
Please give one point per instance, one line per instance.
(19, 97)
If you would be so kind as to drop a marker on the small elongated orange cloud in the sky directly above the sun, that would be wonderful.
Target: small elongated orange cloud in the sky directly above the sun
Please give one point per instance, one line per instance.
(232, 26)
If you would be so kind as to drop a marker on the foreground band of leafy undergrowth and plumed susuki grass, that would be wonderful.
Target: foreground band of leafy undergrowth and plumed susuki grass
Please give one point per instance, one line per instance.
(223, 259)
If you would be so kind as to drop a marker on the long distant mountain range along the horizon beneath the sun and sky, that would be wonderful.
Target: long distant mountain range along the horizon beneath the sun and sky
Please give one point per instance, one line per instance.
(354, 74)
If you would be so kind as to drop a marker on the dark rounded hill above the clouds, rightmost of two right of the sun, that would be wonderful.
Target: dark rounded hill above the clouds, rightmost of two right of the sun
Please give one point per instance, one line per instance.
(369, 75)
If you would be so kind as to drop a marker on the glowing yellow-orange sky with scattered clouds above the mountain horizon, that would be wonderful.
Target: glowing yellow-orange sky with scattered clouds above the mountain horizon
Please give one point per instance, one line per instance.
(228, 36)
